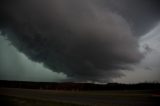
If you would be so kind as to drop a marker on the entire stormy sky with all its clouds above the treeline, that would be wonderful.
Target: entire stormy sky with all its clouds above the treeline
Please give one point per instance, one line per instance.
(91, 40)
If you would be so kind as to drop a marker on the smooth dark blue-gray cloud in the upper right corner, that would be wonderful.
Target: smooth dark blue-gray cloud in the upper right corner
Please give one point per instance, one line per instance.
(142, 15)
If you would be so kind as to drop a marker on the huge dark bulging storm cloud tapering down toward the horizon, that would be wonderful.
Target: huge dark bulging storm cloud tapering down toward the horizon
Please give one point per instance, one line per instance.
(83, 39)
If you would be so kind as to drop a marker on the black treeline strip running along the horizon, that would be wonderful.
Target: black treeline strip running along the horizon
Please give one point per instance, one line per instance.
(78, 86)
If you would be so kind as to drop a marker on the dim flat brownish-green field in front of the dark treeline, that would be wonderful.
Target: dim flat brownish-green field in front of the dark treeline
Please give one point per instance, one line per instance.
(29, 97)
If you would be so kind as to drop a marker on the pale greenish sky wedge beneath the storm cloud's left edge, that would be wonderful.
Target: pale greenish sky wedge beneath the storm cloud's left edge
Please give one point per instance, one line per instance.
(16, 66)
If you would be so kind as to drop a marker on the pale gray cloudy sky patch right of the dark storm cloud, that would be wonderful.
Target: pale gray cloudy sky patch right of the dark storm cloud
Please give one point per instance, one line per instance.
(148, 69)
